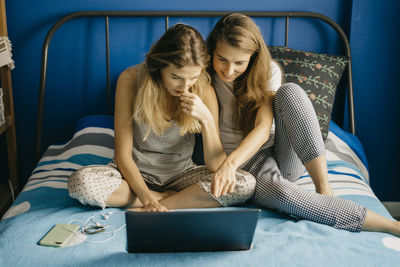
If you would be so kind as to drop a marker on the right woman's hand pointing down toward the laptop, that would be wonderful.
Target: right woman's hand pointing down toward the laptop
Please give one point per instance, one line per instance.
(224, 180)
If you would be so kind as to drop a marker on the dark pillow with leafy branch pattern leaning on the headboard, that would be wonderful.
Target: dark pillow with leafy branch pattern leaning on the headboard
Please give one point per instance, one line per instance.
(317, 74)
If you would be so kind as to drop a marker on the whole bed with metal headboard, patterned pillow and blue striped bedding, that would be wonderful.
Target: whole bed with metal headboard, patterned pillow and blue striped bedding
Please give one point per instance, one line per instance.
(280, 240)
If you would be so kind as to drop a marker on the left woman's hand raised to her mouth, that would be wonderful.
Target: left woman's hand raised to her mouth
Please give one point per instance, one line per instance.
(194, 106)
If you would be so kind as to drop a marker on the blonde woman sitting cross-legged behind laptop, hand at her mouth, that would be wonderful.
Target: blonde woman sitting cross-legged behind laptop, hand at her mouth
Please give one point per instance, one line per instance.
(159, 105)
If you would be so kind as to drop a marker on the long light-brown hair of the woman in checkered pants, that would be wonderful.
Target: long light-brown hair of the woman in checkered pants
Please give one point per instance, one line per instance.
(250, 88)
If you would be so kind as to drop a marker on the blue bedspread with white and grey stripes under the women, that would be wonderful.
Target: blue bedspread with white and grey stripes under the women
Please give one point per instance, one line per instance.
(279, 240)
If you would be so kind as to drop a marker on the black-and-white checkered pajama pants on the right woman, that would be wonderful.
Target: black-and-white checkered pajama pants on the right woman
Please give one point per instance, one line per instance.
(297, 141)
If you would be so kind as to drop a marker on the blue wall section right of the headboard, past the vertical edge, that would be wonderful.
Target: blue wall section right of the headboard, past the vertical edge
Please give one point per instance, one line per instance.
(375, 45)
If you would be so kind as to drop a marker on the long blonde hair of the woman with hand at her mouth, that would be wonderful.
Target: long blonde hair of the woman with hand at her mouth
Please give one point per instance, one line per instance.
(181, 45)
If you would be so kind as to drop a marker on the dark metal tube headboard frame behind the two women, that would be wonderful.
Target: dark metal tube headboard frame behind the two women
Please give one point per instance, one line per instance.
(167, 15)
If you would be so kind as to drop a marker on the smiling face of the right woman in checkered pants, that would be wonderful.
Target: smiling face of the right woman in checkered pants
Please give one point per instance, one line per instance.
(230, 62)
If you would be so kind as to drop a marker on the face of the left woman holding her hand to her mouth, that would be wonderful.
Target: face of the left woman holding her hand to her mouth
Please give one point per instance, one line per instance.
(177, 80)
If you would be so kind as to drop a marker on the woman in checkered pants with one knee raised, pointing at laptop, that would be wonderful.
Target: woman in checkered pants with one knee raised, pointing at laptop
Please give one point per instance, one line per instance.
(270, 130)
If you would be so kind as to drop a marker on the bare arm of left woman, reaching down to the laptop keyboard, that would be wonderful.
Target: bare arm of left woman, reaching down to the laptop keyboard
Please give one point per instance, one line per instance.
(124, 140)
